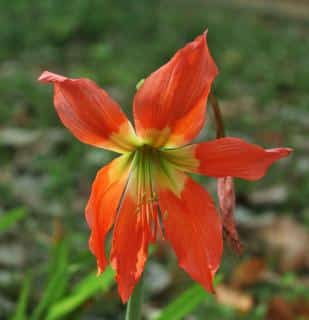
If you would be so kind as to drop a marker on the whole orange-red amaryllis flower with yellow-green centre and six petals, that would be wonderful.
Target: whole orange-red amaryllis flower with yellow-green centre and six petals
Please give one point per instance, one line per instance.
(146, 191)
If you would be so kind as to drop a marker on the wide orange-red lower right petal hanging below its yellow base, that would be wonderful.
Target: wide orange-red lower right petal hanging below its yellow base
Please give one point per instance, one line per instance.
(193, 228)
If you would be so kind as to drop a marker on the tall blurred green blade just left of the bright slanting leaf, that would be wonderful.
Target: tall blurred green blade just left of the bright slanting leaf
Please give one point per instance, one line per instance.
(57, 281)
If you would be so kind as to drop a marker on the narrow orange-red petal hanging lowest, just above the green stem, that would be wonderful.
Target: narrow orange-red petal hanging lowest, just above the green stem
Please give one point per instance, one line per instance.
(131, 238)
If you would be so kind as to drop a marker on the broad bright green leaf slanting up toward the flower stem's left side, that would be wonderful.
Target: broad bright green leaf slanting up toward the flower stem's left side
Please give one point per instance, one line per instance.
(85, 289)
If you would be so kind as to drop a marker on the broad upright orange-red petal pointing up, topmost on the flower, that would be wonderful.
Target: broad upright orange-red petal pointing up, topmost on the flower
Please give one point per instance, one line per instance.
(170, 106)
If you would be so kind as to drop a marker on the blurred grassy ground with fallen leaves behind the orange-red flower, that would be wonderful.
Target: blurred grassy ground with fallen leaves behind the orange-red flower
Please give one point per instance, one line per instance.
(261, 49)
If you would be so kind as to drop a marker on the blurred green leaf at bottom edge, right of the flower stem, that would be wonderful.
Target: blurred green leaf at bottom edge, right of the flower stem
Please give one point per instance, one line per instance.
(184, 304)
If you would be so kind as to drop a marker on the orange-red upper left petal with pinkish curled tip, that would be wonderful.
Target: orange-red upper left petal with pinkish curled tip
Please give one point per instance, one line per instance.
(90, 113)
